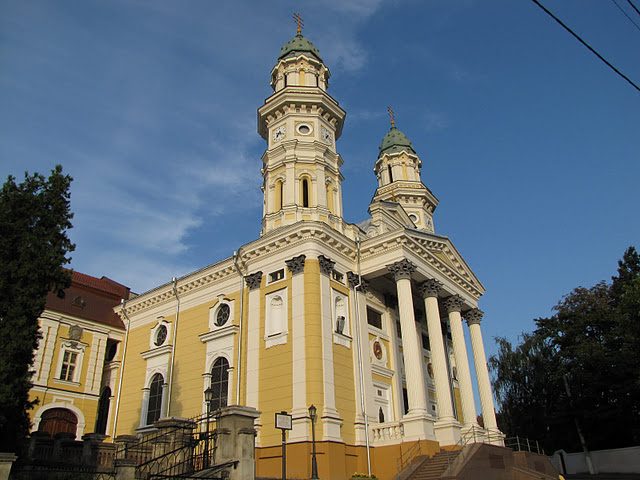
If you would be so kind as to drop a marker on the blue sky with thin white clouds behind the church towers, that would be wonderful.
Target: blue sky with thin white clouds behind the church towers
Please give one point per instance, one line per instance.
(530, 143)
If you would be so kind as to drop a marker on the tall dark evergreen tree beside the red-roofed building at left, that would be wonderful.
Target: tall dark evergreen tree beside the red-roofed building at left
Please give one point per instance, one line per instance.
(34, 219)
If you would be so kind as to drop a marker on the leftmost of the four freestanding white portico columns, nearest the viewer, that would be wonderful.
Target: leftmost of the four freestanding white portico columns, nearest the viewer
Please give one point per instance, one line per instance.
(416, 424)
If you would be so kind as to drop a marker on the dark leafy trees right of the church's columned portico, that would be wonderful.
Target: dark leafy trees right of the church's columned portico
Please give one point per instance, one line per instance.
(591, 343)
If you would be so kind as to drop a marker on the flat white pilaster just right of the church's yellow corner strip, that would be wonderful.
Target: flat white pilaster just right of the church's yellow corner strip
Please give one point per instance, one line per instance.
(330, 418)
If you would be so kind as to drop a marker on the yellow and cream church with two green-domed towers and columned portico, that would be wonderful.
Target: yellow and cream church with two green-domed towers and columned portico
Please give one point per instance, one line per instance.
(362, 321)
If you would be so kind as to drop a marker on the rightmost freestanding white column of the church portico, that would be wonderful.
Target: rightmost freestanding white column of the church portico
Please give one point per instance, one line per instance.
(473, 318)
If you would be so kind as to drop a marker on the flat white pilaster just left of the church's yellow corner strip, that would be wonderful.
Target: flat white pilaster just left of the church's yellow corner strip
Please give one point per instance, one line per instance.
(299, 411)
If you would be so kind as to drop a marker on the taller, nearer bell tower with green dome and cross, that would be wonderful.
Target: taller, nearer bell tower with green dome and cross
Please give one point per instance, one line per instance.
(301, 123)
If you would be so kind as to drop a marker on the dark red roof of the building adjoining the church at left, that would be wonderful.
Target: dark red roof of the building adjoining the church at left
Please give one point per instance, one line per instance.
(91, 298)
